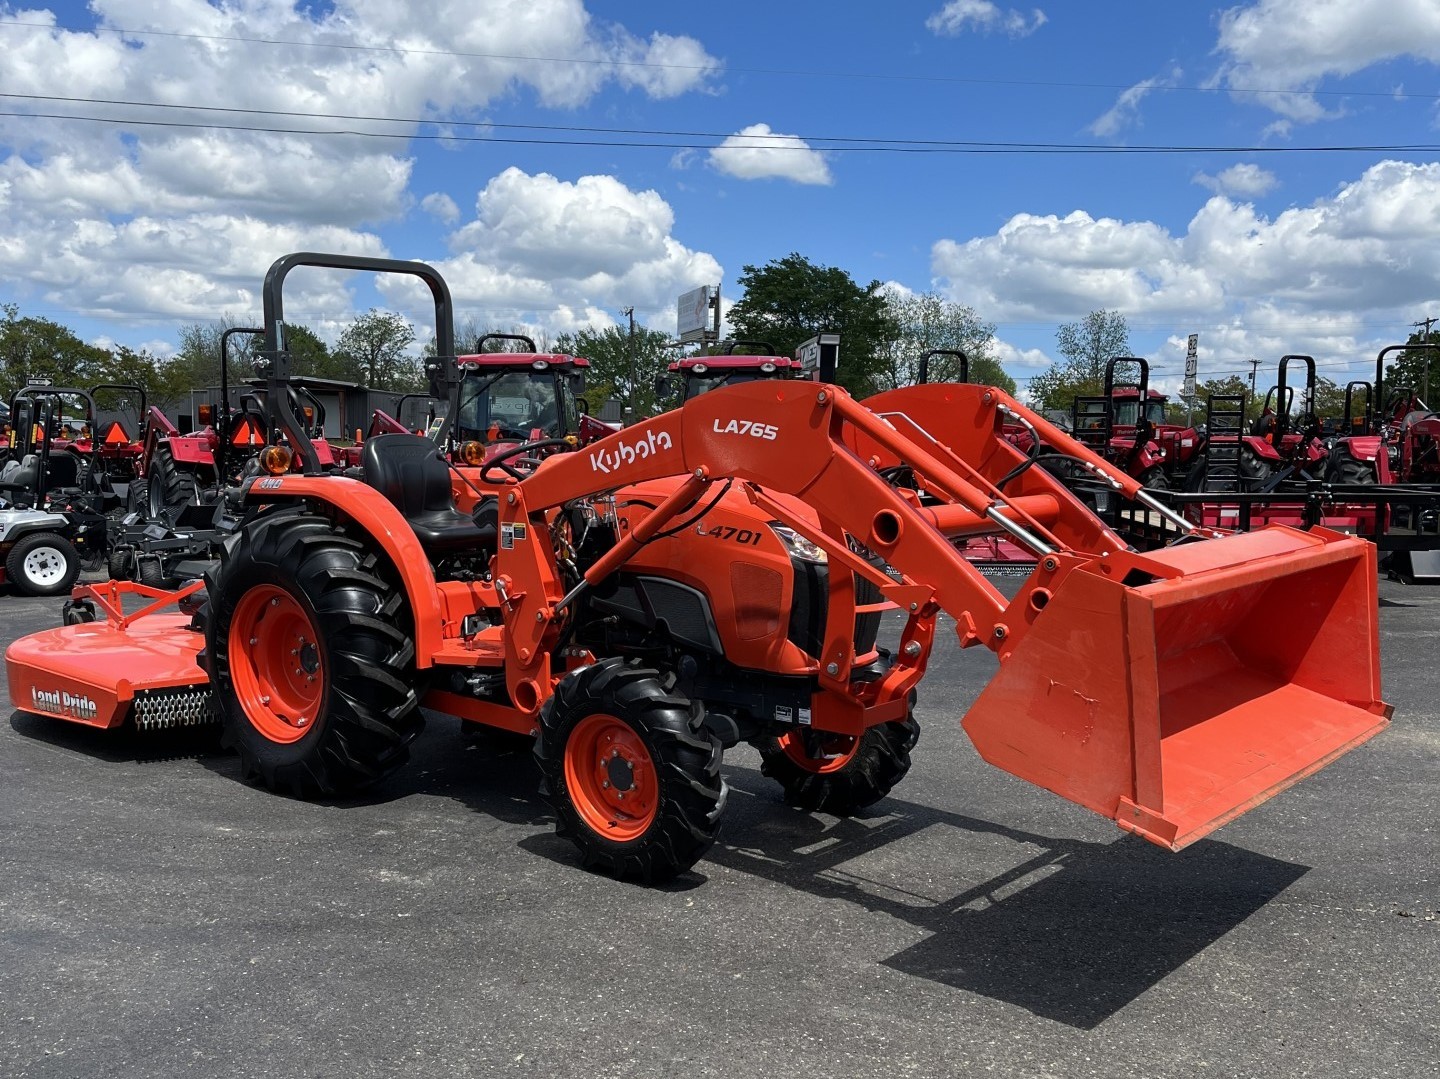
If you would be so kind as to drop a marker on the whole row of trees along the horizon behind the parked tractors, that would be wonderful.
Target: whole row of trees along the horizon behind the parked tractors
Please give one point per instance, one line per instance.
(885, 332)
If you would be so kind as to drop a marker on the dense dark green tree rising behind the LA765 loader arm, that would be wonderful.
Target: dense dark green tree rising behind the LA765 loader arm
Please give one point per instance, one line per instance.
(790, 300)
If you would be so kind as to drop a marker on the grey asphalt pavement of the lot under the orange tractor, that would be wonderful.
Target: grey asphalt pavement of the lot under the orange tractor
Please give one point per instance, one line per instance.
(161, 918)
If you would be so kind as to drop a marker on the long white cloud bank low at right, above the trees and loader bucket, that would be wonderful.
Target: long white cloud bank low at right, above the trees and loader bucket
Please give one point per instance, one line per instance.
(1308, 280)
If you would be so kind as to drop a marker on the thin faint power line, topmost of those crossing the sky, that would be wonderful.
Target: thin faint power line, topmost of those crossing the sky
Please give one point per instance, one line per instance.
(790, 73)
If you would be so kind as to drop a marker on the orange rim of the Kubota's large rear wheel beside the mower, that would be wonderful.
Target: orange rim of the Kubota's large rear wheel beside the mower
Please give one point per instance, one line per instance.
(276, 665)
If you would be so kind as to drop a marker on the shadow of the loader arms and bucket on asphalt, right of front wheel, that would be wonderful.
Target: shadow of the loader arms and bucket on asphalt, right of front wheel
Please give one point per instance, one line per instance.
(1068, 930)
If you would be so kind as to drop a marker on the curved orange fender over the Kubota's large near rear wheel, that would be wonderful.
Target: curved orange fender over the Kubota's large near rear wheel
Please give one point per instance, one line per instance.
(388, 528)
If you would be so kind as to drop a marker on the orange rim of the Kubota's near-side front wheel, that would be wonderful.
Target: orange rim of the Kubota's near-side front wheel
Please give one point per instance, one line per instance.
(611, 779)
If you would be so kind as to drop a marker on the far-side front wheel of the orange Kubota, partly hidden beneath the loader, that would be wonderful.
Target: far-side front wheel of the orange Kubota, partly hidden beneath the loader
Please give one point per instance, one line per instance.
(837, 774)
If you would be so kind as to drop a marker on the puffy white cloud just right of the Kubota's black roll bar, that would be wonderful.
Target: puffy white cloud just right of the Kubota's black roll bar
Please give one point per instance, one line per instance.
(564, 254)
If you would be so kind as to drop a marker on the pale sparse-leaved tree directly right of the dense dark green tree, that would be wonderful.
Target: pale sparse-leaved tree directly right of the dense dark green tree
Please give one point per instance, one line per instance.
(928, 322)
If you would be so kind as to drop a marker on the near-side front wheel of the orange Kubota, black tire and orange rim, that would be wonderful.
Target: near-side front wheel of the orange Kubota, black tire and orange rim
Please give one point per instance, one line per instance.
(611, 731)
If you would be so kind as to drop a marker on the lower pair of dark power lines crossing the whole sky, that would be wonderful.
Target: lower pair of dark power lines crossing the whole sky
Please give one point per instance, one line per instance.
(856, 145)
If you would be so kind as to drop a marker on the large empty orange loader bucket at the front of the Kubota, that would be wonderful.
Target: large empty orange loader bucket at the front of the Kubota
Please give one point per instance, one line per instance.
(1212, 678)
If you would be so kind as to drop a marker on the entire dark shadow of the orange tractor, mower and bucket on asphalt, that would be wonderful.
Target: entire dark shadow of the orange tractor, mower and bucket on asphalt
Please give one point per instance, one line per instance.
(1068, 930)
